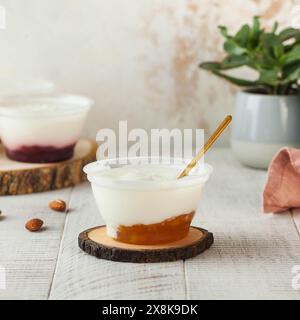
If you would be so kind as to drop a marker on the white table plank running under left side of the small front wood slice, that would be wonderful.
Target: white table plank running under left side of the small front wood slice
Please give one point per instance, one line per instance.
(80, 276)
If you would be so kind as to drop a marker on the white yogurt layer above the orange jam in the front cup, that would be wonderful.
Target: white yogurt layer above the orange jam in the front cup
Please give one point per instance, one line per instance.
(145, 194)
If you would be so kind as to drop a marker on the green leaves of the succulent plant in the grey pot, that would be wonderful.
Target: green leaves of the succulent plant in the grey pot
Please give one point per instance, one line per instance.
(274, 55)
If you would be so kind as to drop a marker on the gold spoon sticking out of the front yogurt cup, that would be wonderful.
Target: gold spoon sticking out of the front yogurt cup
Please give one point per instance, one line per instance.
(222, 126)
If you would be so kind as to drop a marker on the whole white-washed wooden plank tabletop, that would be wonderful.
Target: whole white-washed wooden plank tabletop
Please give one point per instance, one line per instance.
(251, 258)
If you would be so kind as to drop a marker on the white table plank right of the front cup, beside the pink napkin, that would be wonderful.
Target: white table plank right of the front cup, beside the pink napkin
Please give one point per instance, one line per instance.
(253, 252)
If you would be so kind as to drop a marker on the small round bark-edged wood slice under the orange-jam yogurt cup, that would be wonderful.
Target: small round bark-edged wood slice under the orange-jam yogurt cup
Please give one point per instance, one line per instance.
(95, 242)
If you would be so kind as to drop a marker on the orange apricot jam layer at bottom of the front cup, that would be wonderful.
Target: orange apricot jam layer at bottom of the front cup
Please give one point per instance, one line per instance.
(168, 230)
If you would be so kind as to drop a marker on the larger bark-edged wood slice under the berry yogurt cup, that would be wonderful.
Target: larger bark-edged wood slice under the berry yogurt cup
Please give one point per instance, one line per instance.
(21, 178)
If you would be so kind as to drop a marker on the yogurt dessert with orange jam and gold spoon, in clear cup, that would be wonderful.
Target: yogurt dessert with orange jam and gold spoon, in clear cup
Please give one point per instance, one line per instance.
(146, 204)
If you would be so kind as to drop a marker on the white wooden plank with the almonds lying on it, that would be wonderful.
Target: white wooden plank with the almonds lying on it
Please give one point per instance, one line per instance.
(29, 258)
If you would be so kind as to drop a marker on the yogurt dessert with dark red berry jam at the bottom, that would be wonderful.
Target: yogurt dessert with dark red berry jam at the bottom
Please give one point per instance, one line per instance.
(41, 130)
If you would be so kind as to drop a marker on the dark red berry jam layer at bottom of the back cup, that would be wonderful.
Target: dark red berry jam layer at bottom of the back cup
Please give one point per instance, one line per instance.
(40, 154)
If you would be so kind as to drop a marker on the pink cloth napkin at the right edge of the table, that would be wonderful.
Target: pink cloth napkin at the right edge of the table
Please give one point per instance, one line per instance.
(282, 190)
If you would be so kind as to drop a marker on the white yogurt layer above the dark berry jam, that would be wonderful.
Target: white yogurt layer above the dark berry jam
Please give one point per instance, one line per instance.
(41, 123)
